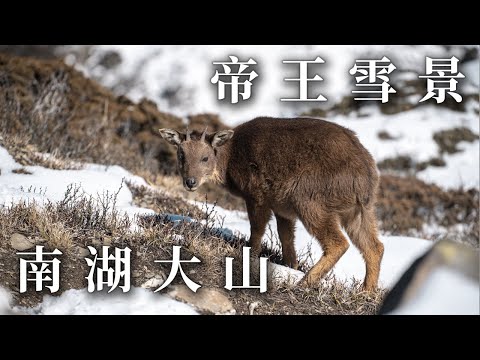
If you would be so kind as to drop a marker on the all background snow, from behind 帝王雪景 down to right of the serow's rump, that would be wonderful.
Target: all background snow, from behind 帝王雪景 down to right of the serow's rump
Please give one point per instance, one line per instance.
(177, 78)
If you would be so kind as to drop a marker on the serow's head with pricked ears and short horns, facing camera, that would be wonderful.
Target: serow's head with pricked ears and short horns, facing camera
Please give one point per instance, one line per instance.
(196, 155)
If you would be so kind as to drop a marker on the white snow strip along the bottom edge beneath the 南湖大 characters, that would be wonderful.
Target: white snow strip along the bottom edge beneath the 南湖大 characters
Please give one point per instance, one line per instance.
(136, 302)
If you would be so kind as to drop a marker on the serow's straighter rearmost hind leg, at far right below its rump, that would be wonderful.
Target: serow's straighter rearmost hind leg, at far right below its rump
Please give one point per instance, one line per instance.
(362, 229)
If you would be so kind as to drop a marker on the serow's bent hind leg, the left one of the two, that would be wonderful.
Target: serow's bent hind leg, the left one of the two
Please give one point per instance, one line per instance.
(326, 228)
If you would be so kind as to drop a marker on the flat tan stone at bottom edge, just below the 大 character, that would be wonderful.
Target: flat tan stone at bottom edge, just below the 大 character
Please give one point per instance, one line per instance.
(205, 300)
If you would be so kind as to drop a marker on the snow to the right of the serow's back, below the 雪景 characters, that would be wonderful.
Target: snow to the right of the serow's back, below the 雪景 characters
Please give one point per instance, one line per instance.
(413, 132)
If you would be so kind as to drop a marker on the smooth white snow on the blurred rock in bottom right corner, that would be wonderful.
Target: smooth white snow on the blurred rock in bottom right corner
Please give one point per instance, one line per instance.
(445, 292)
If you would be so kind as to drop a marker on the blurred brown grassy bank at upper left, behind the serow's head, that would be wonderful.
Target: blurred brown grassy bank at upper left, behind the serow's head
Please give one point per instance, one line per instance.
(59, 111)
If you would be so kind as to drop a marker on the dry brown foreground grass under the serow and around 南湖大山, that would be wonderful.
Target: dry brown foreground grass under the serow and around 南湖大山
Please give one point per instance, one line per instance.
(79, 221)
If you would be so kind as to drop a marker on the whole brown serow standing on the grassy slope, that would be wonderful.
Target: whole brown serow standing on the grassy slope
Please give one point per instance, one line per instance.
(302, 168)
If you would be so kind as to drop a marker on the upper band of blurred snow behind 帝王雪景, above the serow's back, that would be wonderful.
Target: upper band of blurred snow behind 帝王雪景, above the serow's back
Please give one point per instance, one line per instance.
(156, 70)
